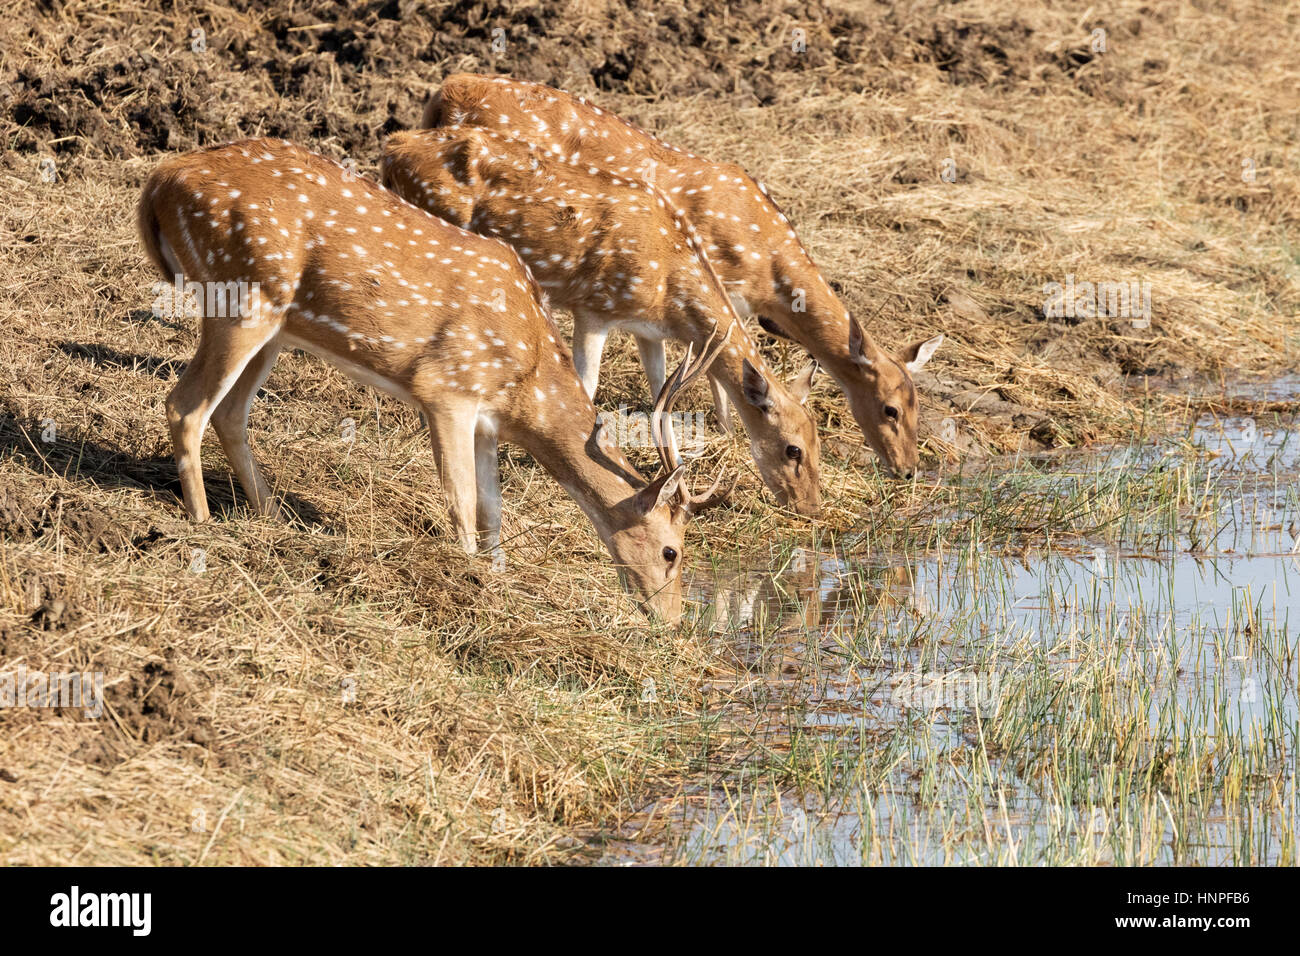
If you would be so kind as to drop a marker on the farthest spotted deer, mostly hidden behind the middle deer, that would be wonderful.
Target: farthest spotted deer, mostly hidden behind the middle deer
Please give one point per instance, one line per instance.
(748, 237)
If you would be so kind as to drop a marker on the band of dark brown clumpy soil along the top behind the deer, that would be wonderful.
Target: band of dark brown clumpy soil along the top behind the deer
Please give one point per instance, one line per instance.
(349, 75)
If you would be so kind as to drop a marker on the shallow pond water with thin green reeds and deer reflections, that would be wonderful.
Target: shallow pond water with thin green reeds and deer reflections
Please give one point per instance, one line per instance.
(902, 659)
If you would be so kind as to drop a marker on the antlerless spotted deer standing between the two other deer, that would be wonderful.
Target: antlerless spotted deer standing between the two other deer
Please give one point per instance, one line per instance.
(616, 253)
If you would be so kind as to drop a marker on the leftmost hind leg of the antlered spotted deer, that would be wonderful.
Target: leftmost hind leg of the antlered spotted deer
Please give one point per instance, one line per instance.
(227, 347)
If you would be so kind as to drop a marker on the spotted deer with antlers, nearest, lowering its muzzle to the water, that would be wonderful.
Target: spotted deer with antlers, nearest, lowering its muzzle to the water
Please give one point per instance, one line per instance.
(447, 321)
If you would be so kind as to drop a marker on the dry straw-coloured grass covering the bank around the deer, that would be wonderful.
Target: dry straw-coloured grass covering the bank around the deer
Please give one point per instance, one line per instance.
(501, 717)
